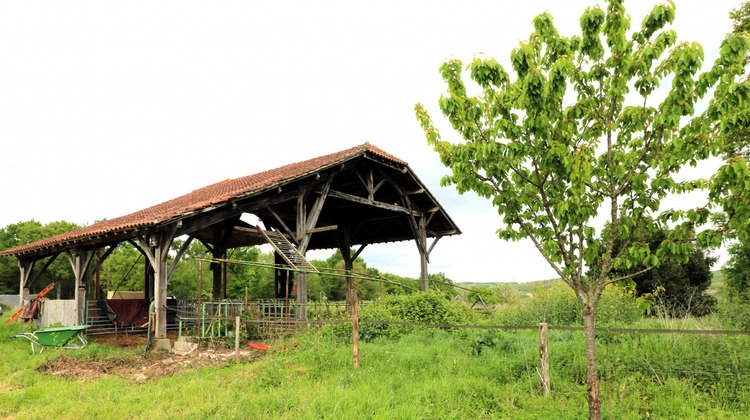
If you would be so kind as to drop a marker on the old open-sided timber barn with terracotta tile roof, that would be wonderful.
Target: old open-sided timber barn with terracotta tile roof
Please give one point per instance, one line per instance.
(348, 199)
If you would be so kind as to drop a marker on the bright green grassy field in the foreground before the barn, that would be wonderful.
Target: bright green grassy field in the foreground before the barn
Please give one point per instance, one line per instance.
(425, 373)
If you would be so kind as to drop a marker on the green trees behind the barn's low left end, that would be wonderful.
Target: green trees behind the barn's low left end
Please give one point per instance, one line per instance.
(22, 233)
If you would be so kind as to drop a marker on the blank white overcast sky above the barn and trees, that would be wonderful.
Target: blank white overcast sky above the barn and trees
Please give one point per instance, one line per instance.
(110, 107)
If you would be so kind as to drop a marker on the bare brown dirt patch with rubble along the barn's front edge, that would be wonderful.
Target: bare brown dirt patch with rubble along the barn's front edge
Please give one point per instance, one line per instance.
(140, 367)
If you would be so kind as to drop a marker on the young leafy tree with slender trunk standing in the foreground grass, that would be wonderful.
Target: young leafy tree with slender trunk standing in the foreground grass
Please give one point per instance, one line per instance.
(574, 134)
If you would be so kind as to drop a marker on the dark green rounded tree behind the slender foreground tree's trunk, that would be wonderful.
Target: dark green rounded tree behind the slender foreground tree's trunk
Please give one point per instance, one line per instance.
(684, 284)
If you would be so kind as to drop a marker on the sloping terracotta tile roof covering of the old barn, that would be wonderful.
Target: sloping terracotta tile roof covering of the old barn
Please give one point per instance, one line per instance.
(208, 196)
